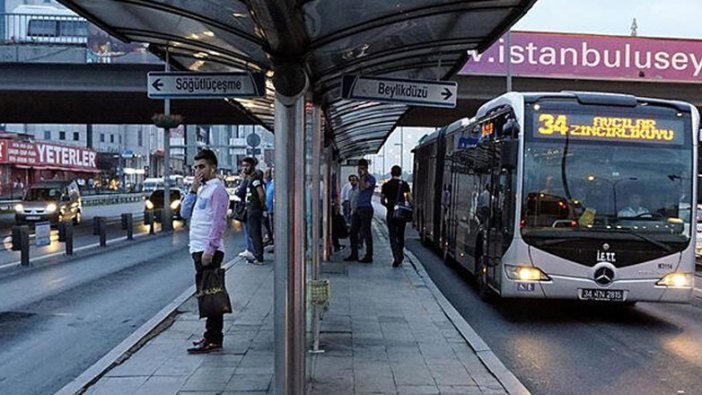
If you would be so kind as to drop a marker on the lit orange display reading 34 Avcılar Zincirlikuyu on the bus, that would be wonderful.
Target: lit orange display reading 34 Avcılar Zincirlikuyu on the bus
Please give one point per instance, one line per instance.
(608, 128)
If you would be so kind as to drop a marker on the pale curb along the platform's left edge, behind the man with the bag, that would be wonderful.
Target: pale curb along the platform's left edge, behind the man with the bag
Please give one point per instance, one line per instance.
(132, 343)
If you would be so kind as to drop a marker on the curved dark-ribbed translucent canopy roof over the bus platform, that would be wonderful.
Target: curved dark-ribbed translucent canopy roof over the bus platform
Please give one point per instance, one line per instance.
(412, 39)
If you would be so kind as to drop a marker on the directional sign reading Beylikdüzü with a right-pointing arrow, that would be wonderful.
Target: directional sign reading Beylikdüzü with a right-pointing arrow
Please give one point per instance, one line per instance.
(424, 93)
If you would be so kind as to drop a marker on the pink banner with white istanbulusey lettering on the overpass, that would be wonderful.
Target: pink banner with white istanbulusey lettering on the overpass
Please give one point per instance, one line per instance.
(558, 55)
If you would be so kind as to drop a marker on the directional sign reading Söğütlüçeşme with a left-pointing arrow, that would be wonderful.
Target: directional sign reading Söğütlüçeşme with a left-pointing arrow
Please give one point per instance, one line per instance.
(163, 85)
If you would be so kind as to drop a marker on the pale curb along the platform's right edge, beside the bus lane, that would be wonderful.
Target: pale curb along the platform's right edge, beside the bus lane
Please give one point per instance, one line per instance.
(507, 379)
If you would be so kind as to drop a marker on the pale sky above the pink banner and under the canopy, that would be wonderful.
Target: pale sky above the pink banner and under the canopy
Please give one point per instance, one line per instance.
(654, 18)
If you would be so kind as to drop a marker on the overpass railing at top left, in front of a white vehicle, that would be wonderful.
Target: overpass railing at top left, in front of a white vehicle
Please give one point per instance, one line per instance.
(43, 29)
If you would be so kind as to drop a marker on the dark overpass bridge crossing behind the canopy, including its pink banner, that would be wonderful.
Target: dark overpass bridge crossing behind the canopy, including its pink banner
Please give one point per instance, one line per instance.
(112, 93)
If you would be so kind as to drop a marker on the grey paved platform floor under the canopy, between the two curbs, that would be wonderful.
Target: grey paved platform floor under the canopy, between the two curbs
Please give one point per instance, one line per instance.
(384, 332)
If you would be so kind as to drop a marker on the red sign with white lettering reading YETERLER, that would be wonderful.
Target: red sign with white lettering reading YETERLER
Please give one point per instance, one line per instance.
(45, 155)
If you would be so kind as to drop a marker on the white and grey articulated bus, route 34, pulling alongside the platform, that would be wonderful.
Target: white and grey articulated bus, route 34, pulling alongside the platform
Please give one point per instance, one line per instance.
(570, 195)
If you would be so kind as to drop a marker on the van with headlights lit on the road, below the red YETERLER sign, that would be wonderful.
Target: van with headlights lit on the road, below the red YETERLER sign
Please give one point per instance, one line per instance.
(53, 201)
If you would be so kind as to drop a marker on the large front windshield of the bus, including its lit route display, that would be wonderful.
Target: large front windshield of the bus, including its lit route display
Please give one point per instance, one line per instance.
(594, 173)
